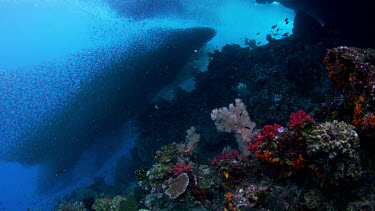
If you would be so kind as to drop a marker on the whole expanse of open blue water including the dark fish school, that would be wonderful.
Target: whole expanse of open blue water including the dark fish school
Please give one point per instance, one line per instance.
(59, 64)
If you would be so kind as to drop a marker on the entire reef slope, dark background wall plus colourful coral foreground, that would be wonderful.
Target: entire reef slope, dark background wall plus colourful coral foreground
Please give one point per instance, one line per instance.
(294, 160)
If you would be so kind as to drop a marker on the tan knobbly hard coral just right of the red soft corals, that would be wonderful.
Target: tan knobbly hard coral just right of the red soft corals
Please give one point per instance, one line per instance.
(335, 143)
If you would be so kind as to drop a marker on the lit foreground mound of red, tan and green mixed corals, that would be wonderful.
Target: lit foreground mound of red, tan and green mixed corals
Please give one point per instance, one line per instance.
(316, 157)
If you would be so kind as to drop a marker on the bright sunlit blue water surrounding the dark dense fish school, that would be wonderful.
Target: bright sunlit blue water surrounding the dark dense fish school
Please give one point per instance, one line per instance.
(51, 50)
